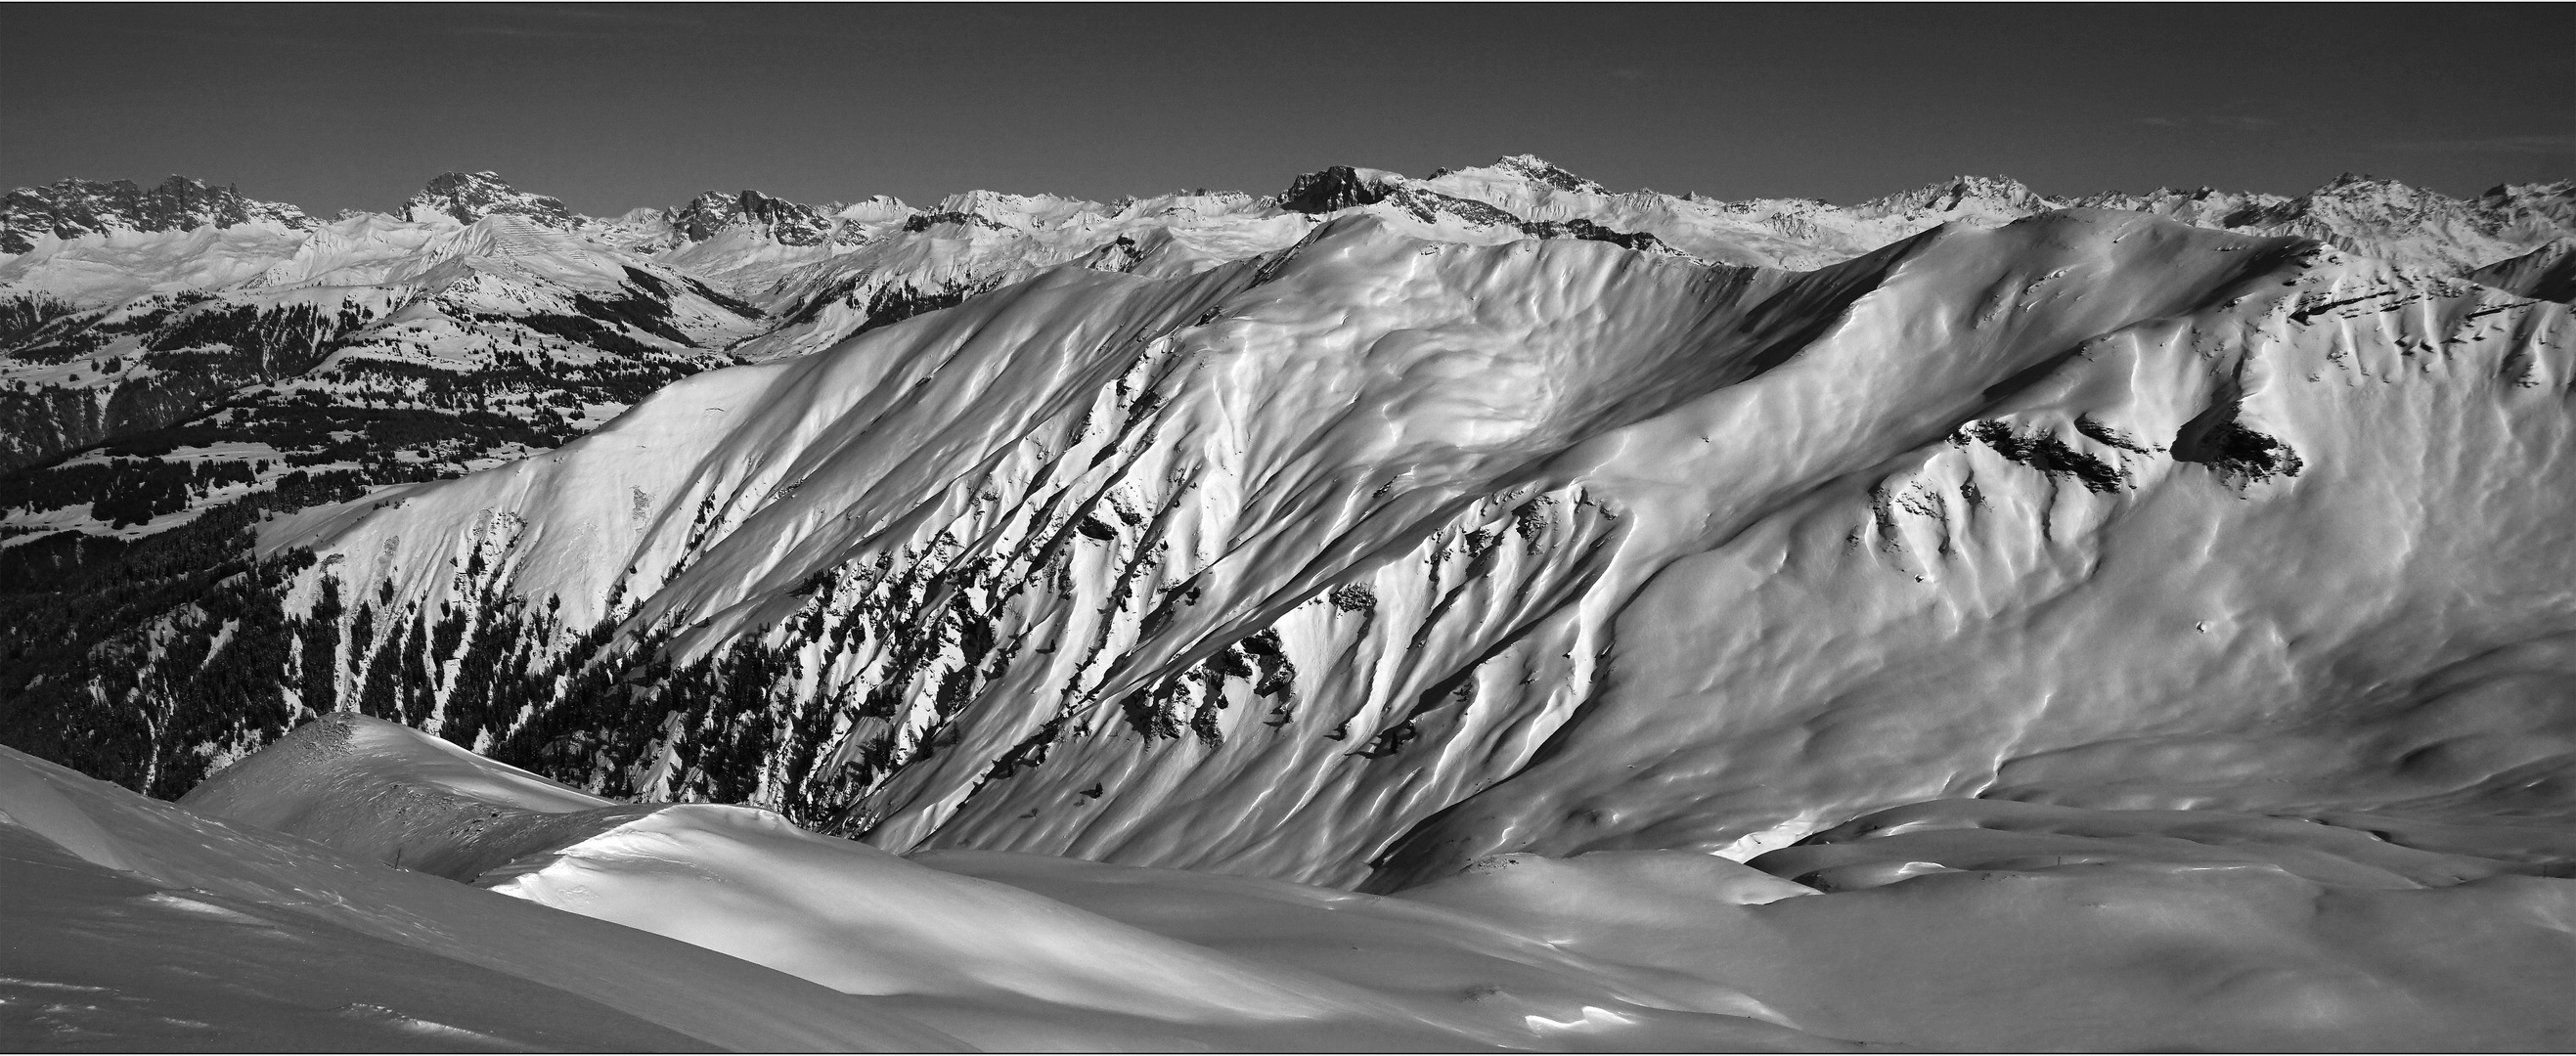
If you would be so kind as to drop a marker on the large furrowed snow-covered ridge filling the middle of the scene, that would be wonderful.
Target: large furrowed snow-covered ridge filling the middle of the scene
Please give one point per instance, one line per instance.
(1377, 558)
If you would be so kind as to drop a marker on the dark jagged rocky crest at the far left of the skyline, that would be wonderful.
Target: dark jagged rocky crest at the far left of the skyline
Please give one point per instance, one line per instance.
(86, 207)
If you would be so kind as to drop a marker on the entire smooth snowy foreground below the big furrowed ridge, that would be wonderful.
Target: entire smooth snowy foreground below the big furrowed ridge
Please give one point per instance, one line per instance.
(596, 926)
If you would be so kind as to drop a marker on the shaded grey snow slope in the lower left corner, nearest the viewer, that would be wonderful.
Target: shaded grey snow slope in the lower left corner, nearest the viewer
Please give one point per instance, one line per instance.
(318, 947)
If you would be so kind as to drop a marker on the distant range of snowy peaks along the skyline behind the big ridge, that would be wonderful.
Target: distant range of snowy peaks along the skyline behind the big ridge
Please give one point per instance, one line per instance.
(120, 305)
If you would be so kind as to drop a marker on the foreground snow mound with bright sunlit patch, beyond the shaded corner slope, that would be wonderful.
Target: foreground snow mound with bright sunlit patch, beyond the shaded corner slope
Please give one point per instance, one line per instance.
(980, 959)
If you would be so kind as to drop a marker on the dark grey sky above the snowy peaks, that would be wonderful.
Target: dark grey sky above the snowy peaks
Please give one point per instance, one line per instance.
(357, 107)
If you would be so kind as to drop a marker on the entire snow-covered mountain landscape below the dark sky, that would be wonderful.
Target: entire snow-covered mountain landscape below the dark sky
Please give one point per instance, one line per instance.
(1464, 612)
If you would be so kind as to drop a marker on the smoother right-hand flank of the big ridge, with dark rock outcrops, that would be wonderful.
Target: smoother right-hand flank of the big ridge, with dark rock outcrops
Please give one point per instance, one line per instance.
(2366, 604)
